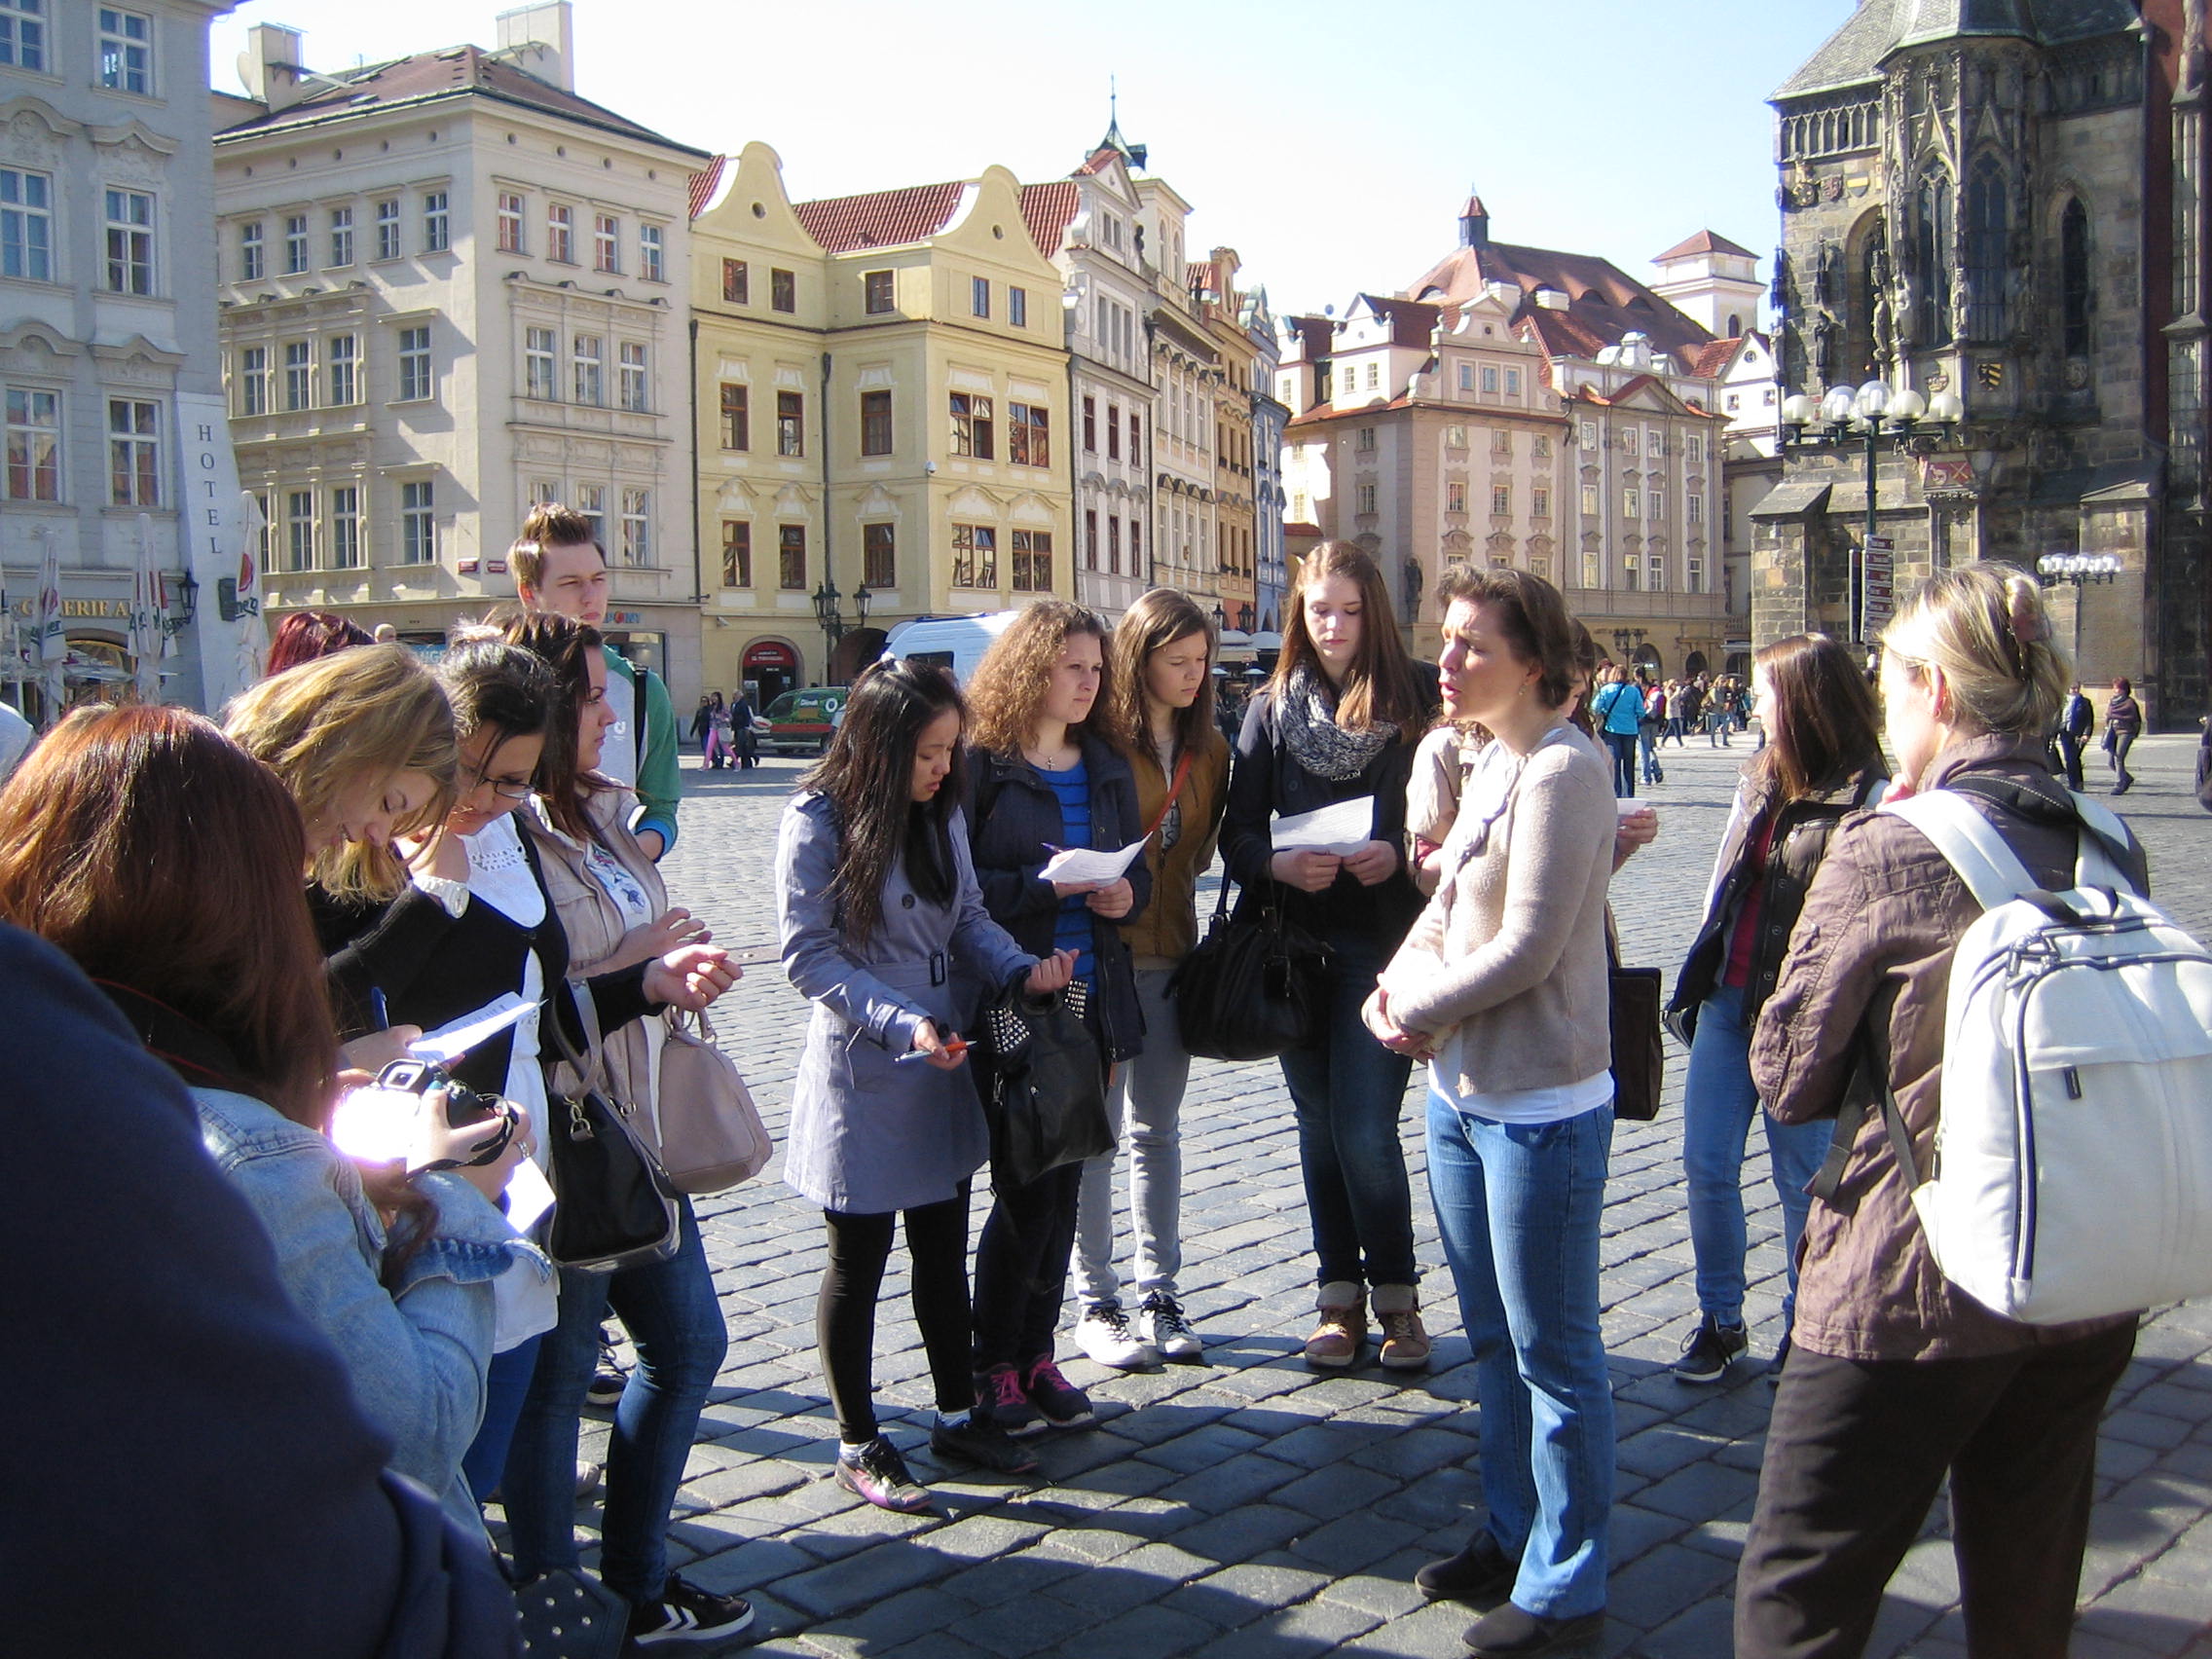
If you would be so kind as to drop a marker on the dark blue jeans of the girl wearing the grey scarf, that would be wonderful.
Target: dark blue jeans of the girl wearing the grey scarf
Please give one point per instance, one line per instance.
(1350, 1092)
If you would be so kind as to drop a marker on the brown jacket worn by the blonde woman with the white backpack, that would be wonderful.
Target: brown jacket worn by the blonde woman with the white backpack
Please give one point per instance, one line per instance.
(1872, 950)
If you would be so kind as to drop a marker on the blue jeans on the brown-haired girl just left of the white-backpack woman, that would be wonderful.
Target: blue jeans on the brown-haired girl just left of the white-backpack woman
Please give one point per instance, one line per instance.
(1718, 1107)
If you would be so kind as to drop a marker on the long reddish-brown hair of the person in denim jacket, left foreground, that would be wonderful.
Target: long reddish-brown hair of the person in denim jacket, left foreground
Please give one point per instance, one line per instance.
(165, 857)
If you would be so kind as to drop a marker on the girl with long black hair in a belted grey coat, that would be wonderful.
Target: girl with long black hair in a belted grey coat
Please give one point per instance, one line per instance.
(884, 928)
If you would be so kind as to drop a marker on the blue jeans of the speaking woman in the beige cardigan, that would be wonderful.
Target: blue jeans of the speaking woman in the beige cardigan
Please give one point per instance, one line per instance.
(1519, 1211)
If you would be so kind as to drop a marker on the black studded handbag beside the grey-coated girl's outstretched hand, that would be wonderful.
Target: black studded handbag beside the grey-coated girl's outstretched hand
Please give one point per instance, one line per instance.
(1047, 1098)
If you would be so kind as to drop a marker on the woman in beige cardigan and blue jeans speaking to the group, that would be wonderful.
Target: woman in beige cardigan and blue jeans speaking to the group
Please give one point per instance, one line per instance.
(1503, 988)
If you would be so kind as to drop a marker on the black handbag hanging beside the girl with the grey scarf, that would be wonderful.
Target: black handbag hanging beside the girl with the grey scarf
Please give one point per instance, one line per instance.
(1253, 985)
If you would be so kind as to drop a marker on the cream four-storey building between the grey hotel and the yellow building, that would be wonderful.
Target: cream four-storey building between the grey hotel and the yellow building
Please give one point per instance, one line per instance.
(455, 289)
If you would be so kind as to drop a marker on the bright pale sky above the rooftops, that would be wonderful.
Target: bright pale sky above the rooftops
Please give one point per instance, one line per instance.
(1331, 145)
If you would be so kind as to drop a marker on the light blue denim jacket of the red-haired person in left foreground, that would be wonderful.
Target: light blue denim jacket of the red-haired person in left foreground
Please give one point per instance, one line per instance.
(417, 1353)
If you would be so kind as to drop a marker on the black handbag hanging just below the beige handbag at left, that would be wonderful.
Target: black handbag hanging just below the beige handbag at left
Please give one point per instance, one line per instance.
(614, 1204)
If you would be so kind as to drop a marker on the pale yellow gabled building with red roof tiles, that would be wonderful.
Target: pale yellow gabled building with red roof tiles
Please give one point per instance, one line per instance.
(884, 419)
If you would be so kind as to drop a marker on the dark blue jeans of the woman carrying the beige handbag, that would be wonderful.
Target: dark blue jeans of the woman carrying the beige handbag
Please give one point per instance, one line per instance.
(676, 1324)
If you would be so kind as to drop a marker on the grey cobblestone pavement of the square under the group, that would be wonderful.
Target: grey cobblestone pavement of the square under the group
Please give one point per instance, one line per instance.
(1244, 1507)
